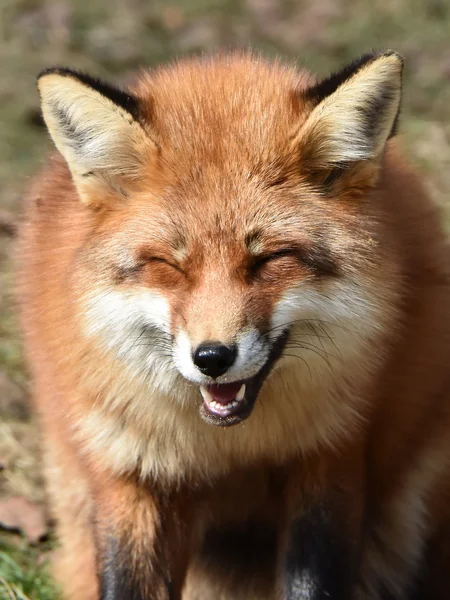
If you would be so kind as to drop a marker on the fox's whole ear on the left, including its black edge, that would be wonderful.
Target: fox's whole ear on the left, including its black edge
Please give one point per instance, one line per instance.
(96, 128)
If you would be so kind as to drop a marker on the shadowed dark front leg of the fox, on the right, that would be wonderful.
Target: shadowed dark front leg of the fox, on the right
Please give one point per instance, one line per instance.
(321, 537)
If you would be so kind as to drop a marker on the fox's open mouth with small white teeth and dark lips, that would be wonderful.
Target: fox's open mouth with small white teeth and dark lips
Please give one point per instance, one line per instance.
(226, 404)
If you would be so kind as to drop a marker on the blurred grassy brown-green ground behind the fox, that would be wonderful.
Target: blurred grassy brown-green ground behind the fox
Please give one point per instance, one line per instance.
(113, 38)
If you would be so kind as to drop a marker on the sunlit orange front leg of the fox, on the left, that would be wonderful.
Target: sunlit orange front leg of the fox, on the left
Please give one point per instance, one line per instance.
(142, 543)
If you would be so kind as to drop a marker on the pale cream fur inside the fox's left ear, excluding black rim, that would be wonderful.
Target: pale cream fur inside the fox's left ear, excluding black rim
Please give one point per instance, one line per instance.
(94, 134)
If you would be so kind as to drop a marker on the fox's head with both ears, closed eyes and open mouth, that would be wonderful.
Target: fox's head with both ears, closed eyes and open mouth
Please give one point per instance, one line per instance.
(234, 227)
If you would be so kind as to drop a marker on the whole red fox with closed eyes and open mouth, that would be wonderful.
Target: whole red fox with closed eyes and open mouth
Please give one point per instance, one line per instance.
(236, 308)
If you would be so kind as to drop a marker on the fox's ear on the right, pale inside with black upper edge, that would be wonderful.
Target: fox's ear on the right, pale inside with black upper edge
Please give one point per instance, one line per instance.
(354, 113)
